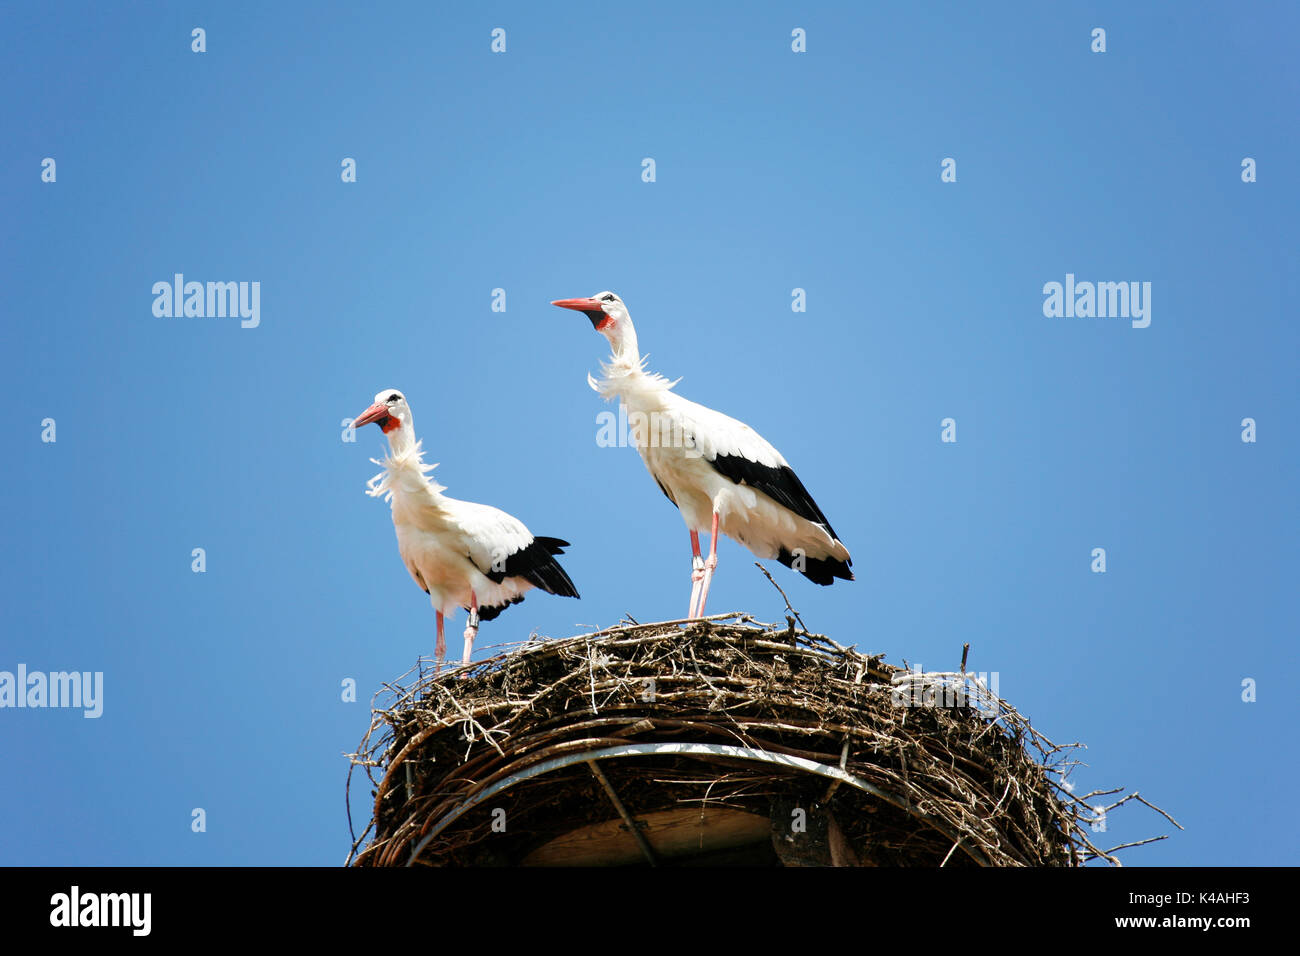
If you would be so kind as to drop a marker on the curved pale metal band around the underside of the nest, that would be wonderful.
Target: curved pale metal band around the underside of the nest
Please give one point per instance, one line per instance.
(692, 751)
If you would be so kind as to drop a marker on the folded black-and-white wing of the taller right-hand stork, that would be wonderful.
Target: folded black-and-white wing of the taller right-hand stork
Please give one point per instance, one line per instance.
(739, 453)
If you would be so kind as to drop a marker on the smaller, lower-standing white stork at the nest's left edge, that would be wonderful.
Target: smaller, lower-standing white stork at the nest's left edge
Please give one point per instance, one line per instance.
(463, 555)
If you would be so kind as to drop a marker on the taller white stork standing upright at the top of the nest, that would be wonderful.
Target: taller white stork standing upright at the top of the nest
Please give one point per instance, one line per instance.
(720, 473)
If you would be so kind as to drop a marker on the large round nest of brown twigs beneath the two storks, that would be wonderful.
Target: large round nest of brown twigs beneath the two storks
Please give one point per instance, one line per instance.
(712, 742)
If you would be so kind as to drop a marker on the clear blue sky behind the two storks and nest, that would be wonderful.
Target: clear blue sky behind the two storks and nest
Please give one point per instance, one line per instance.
(523, 171)
